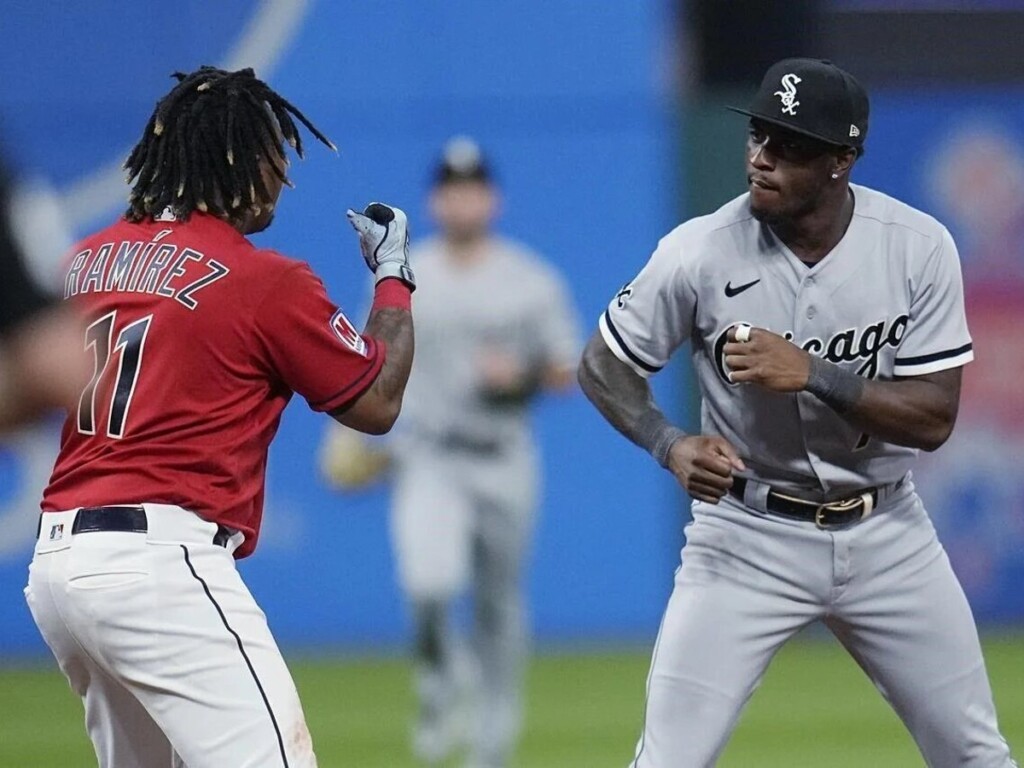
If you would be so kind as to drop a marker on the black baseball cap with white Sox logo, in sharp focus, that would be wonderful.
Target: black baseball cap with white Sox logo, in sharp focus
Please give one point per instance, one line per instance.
(815, 98)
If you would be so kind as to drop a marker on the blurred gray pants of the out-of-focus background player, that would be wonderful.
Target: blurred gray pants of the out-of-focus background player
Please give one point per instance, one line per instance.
(461, 524)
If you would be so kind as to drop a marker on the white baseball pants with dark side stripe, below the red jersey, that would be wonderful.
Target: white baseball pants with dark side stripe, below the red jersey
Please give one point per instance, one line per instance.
(168, 650)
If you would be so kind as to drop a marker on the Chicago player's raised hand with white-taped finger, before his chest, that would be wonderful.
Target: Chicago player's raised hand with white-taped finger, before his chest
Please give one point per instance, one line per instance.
(767, 360)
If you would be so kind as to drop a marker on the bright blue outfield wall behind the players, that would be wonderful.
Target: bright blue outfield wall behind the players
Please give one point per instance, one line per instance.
(572, 104)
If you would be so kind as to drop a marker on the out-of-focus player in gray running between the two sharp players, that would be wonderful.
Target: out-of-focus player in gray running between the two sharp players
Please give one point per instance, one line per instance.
(495, 329)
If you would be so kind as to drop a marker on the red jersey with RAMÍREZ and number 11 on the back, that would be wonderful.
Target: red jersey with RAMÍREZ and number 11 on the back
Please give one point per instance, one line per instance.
(199, 340)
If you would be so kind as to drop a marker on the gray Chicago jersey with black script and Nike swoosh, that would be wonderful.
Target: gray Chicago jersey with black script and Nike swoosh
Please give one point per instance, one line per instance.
(887, 303)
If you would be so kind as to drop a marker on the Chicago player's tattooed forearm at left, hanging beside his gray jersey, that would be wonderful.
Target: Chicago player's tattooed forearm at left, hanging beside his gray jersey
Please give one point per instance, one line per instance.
(626, 401)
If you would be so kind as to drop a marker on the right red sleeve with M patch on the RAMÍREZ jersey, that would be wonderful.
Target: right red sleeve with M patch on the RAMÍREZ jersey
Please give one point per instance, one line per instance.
(311, 344)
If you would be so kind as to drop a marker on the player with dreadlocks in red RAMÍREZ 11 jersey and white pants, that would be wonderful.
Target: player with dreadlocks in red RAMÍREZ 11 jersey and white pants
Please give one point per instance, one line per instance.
(199, 340)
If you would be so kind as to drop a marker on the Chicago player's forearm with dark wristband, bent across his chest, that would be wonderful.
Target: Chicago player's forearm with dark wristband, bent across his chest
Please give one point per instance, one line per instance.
(918, 413)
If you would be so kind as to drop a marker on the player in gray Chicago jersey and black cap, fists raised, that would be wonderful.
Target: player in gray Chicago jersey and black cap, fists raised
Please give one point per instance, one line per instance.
(828, 331)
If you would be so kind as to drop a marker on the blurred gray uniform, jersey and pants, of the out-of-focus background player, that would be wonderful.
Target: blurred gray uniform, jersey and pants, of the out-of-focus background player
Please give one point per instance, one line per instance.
(466, 467)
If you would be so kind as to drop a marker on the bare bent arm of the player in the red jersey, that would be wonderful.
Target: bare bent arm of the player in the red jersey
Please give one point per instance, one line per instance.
(377, 409)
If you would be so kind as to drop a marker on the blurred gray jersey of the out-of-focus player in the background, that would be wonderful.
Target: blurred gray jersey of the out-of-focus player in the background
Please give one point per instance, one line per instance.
(510, 302)
